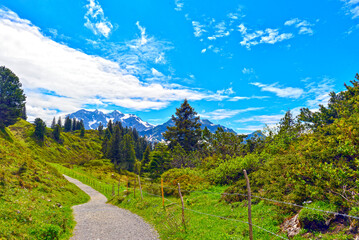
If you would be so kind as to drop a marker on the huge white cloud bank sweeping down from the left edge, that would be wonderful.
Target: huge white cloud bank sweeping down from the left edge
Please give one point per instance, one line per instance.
(57, 78)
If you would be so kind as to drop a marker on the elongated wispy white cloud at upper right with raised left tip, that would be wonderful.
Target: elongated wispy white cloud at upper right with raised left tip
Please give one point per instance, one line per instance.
(269, 36)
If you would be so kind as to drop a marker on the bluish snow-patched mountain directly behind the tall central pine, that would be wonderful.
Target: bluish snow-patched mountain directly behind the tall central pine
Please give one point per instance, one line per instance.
(155, 134)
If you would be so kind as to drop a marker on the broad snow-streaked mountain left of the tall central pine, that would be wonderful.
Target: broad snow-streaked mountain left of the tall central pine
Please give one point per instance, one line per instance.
(92, 119)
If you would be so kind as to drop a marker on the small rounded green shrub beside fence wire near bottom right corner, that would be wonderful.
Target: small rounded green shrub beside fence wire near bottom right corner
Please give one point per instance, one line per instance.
(314, 220)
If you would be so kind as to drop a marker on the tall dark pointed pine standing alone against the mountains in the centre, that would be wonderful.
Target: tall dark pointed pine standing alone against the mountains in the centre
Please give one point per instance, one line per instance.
(187, 129)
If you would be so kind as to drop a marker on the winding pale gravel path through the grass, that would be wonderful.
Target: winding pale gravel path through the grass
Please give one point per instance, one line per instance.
(97, 220)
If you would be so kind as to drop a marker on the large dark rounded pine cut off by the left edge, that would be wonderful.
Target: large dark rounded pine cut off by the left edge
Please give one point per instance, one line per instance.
(12, 97)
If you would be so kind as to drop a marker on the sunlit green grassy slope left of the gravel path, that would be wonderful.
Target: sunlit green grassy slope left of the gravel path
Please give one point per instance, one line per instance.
(35, 200)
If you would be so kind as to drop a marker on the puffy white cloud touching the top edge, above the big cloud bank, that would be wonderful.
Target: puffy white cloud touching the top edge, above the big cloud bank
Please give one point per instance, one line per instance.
(96, 20)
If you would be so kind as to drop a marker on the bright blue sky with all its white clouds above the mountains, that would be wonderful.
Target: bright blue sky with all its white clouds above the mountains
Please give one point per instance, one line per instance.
(240, 63)
